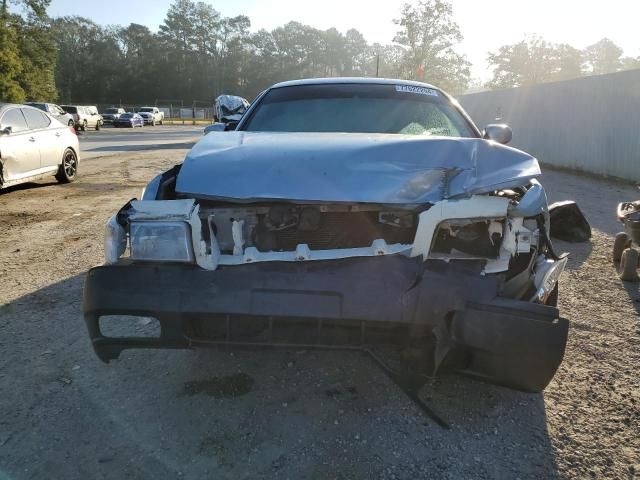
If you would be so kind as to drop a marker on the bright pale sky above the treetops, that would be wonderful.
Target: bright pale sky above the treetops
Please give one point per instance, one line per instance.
(485, 24)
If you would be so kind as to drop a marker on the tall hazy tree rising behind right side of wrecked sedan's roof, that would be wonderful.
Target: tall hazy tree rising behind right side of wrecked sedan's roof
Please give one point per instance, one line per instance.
(428, 34)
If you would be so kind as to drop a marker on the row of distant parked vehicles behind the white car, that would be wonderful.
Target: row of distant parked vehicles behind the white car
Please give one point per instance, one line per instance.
(83, 117)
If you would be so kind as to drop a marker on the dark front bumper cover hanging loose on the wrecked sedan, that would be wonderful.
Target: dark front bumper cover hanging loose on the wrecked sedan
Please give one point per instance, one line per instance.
(510, 342)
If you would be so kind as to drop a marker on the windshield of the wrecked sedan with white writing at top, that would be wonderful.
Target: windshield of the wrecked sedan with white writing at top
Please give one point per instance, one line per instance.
(359, 108)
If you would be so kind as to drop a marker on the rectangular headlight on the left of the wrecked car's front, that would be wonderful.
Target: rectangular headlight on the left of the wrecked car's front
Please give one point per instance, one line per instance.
(161, 241)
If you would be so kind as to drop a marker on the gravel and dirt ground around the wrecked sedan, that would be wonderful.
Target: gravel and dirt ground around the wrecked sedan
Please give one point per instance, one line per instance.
(265, 414)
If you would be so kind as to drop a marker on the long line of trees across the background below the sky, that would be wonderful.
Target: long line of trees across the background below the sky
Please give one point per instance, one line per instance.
(197, 54)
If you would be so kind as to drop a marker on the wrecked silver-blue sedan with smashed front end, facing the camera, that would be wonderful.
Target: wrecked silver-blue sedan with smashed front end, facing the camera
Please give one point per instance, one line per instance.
(344, 213)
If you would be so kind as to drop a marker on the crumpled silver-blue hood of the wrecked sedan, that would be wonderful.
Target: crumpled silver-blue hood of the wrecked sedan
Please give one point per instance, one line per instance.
(346, 167)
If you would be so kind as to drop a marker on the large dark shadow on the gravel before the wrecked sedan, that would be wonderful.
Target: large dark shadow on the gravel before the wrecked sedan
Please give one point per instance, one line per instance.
(254, 414)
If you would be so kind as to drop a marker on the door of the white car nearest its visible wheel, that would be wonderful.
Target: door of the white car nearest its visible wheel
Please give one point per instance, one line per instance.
(18, 150)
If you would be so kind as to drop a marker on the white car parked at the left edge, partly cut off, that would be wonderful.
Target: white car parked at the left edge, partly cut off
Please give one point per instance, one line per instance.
(33, 145)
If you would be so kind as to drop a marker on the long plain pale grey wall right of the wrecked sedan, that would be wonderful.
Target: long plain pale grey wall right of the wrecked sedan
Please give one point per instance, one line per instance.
(590, 124)
